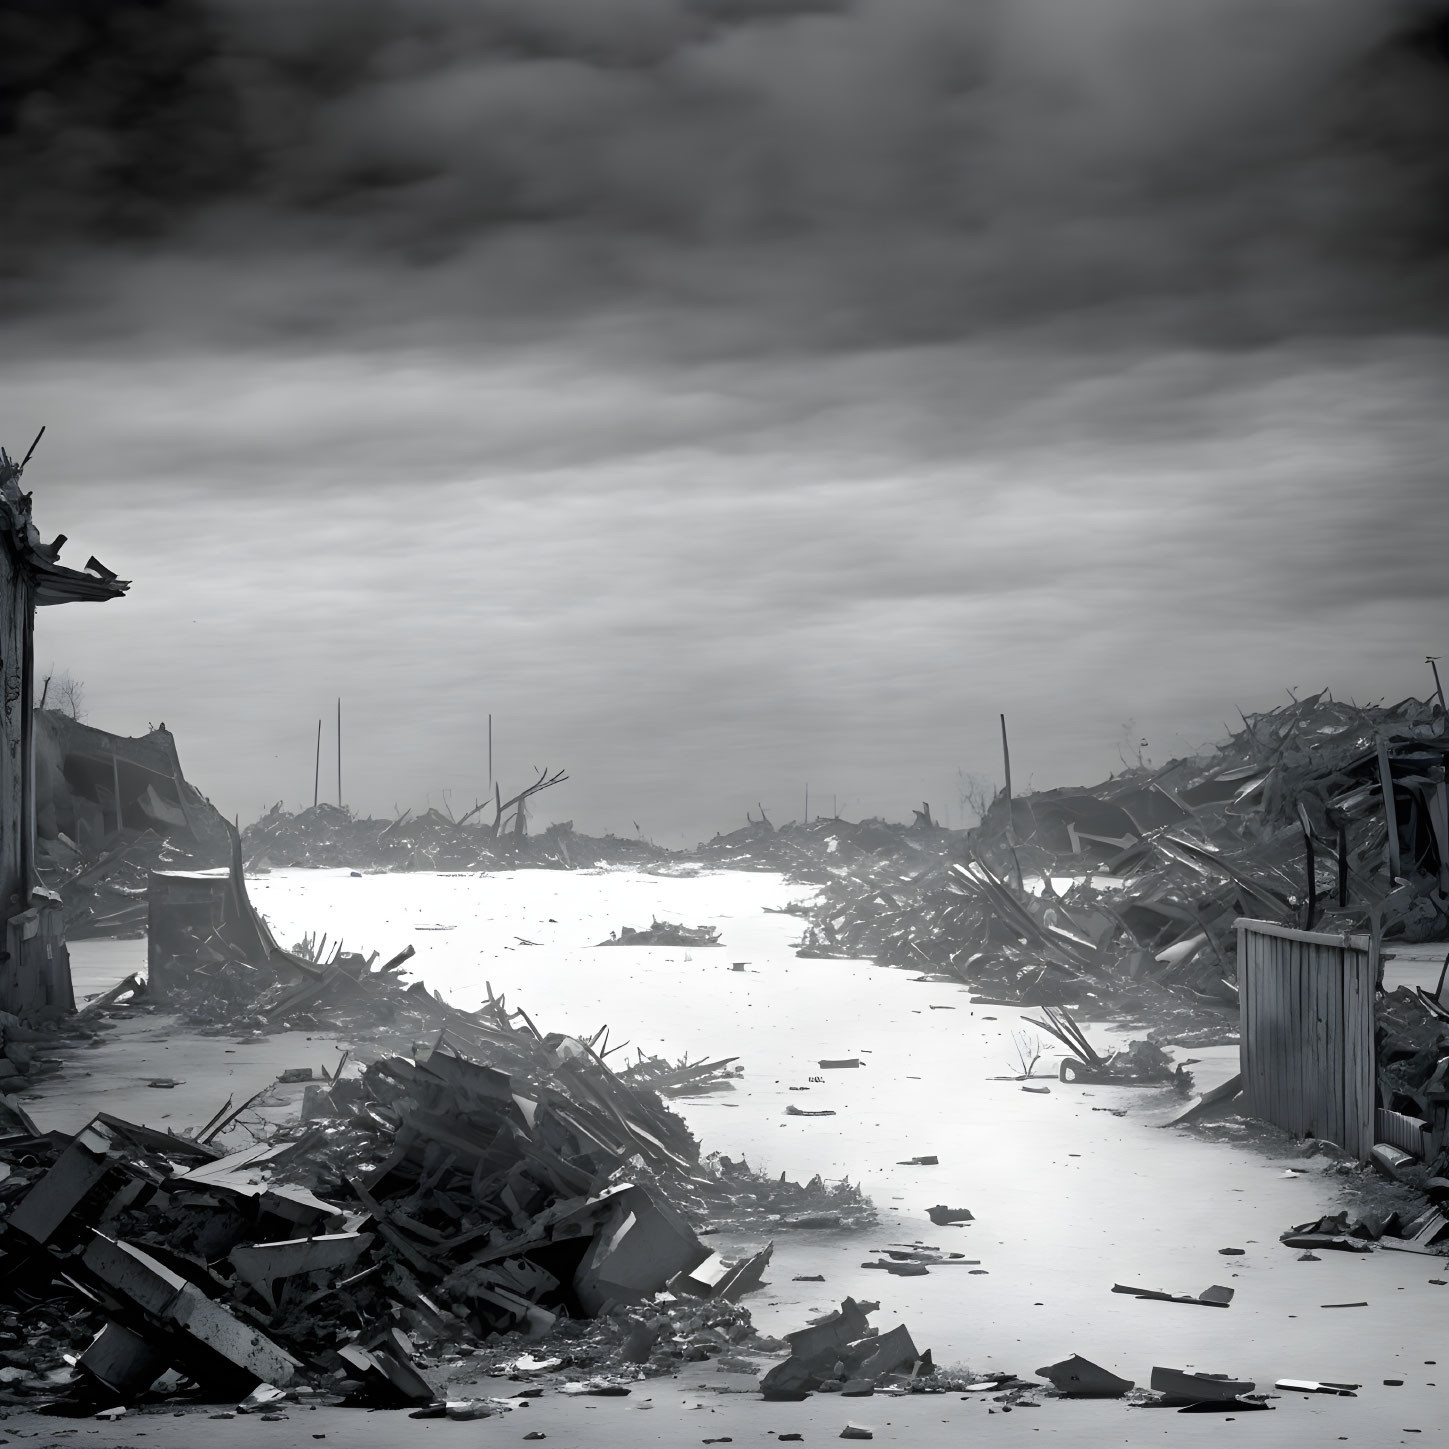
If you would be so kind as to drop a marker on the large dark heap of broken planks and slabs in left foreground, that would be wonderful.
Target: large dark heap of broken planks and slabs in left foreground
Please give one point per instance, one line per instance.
(498, 1182)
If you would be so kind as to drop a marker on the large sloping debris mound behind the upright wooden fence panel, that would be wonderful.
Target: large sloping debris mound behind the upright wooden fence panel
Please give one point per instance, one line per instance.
(1316, 815)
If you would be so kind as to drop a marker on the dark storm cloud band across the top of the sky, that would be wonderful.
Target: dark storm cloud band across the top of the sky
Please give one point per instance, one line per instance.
(754, 172)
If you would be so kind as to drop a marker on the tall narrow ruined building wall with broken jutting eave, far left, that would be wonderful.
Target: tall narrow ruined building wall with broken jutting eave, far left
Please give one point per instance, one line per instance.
(36, 976)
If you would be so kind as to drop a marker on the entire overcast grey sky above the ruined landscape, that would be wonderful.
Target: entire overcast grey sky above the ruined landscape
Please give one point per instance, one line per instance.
(728, 395)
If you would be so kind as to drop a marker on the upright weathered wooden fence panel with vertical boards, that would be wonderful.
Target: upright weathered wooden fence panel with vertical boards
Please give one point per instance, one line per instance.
(1308, 1032)
